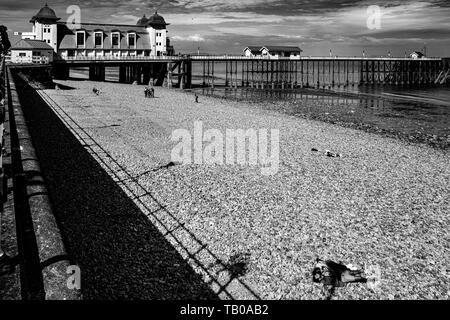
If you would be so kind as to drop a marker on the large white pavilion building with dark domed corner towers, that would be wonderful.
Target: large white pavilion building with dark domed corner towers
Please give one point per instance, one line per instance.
(148, 37)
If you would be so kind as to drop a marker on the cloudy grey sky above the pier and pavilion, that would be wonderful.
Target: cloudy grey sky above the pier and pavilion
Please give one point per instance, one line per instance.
(346, 27)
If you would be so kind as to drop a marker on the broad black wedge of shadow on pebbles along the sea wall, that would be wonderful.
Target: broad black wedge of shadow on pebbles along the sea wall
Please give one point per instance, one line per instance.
(120, 253)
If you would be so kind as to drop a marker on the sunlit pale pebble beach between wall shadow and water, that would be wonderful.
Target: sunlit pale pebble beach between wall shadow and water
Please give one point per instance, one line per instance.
(384, 203)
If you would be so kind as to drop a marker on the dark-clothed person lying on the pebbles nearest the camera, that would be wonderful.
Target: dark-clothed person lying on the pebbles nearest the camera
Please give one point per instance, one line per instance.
(332, 275)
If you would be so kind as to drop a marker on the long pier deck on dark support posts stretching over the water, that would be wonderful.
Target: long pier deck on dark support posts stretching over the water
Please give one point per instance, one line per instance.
(264, 72)
